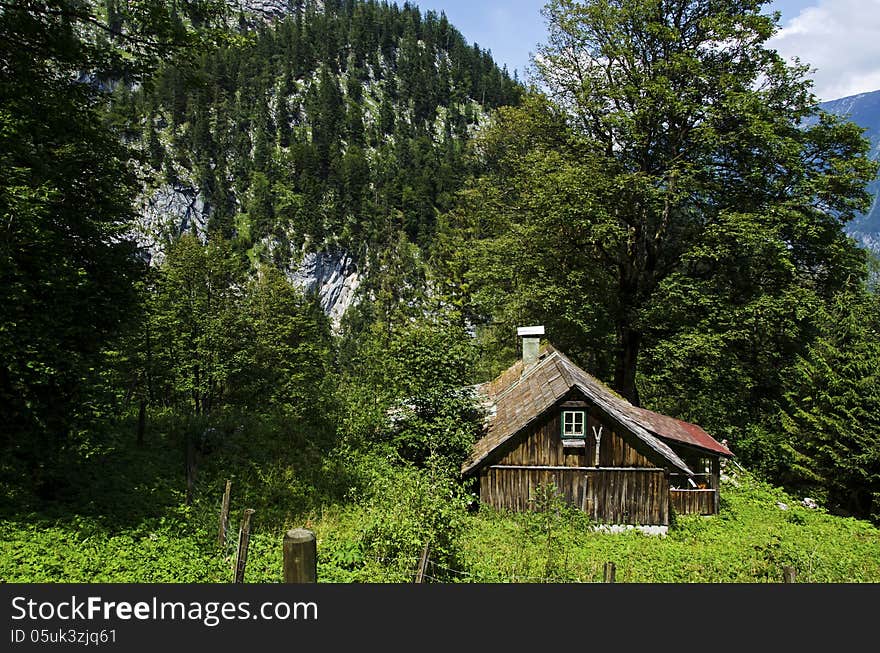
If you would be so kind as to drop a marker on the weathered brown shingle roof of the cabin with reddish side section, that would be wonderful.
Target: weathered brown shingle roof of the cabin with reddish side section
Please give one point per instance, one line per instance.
(516, 398)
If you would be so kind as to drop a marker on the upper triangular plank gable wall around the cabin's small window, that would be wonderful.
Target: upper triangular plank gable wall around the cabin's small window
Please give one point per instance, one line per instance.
(542, 445)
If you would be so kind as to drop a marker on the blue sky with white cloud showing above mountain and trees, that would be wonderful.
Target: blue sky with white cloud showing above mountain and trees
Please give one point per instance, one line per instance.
(836, 37)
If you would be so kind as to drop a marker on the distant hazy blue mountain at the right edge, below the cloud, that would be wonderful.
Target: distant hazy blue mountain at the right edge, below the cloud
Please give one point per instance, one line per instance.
(864, 110)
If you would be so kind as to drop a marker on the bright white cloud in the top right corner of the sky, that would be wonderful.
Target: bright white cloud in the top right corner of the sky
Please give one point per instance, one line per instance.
(841, 40)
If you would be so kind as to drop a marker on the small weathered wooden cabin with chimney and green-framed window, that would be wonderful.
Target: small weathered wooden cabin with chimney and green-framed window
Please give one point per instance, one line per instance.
(549, 421)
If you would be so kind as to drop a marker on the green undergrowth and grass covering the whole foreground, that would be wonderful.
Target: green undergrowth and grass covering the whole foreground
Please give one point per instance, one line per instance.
(373, 516)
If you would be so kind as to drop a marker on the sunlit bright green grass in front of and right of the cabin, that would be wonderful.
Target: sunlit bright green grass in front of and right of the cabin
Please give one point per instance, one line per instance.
(750, 541)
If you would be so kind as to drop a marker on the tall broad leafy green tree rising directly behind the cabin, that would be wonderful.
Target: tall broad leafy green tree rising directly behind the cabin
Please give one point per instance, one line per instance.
(669, 123)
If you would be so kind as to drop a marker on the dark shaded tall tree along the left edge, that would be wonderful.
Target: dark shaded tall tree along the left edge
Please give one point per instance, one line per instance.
(66, 191)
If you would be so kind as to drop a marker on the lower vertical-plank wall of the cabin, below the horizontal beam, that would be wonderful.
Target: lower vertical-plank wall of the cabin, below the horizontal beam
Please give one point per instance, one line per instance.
(612, 496)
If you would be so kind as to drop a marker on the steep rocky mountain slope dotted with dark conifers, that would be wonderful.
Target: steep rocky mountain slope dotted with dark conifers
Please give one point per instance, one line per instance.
(317, 139)
